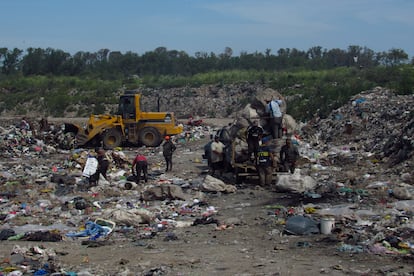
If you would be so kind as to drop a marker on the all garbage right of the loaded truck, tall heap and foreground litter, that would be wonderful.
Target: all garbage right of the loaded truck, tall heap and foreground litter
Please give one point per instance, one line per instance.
(361, 161)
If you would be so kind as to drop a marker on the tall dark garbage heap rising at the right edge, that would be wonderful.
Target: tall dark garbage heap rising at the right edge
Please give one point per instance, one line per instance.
(376, 121)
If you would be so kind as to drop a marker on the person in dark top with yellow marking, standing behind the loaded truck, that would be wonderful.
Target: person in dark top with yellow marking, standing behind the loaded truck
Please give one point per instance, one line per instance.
(264, 165)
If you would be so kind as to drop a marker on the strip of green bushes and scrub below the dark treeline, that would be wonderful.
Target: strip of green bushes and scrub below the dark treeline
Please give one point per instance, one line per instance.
(320, 91)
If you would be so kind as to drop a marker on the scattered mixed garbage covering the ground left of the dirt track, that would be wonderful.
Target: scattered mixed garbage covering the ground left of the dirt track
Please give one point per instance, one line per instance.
(40, 180)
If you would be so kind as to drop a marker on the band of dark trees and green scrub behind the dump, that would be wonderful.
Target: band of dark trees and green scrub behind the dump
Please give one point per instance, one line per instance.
(317, 80)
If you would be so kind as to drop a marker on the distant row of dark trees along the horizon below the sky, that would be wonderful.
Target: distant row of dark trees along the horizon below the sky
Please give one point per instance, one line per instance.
(108, 65)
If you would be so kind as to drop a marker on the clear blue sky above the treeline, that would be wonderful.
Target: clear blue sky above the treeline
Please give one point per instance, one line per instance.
(207, 25)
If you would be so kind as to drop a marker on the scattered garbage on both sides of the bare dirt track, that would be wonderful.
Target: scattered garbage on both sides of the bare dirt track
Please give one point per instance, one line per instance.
(354, 183)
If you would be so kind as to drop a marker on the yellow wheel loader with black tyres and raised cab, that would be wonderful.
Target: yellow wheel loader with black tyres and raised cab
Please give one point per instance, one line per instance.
(130, 125)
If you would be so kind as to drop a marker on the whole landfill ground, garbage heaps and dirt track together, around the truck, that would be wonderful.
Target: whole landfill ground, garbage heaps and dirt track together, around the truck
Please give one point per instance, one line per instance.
(351, 198)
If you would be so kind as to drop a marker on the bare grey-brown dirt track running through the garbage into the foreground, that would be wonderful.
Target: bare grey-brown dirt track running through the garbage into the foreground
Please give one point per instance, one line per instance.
(251, 241)
